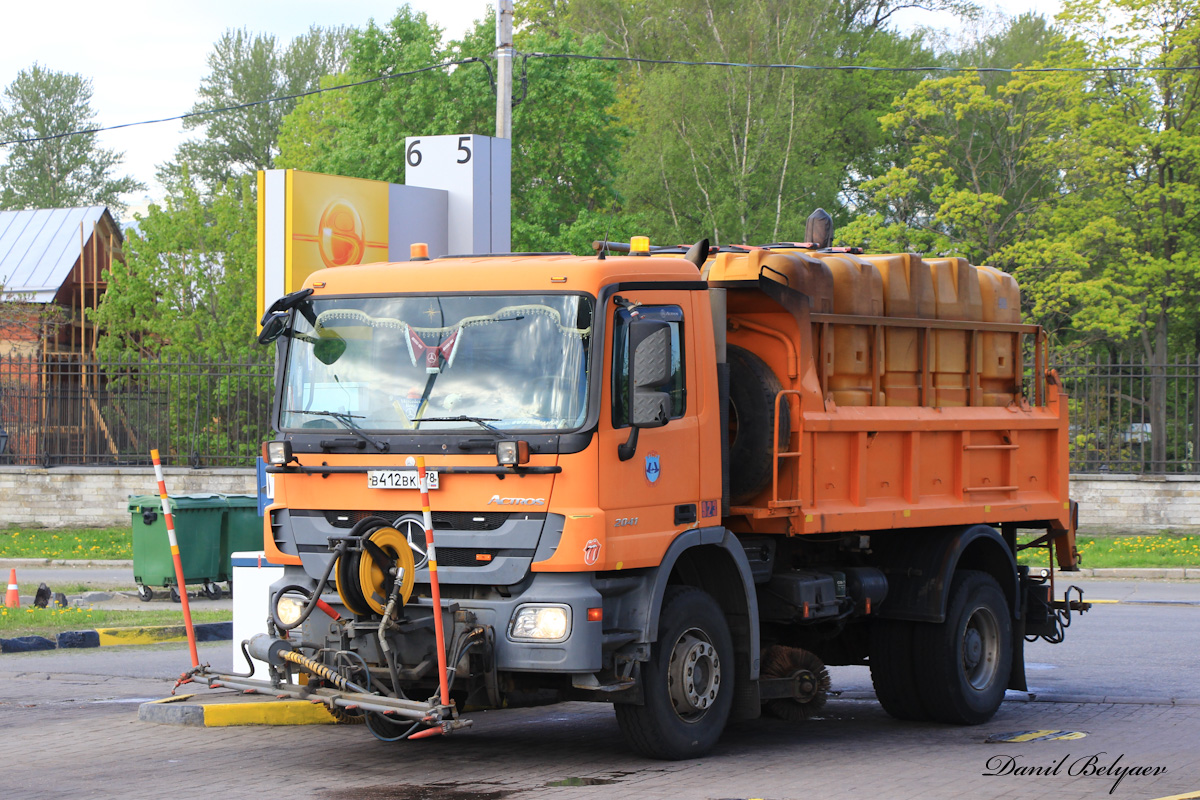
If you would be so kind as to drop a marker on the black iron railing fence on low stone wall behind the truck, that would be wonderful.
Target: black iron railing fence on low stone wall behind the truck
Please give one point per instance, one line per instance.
(1129, 414)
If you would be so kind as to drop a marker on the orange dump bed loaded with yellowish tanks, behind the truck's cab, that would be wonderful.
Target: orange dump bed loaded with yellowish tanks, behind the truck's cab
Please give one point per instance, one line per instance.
(913, 396)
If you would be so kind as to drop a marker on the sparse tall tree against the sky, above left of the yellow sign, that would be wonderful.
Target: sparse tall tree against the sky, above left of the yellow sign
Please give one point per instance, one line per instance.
(245, 69)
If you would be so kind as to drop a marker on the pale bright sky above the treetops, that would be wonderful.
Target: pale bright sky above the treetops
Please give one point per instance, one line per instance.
(147, 58)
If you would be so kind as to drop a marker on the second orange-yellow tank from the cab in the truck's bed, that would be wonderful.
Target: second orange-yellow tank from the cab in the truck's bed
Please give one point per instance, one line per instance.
(857, 290)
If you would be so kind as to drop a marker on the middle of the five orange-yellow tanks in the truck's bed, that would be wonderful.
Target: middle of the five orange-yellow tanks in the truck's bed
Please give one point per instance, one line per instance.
(909, 293)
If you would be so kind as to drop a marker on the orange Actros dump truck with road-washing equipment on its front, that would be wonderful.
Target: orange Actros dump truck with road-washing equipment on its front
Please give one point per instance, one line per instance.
(682, 484)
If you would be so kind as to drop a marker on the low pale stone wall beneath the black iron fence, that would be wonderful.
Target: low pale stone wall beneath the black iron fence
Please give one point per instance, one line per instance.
(81, 497)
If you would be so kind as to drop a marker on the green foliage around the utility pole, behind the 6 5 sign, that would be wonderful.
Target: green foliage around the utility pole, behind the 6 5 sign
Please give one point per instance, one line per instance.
(566, 142)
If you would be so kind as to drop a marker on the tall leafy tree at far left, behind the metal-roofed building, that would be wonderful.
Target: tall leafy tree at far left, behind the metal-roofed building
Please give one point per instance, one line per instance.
(64, 172)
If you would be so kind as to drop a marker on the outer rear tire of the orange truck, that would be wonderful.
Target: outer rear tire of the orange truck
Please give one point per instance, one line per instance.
(967, 660)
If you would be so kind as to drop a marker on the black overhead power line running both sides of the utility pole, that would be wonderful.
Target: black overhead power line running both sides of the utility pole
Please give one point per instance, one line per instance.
(628, 59)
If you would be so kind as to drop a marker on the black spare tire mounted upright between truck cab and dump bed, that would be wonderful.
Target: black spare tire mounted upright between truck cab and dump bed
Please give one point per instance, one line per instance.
(753, 390)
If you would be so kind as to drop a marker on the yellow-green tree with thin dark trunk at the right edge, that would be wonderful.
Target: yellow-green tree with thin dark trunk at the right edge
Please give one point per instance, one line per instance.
(1120, 256)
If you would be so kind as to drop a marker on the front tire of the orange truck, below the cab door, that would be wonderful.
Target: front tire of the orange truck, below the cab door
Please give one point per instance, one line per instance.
(688, 683)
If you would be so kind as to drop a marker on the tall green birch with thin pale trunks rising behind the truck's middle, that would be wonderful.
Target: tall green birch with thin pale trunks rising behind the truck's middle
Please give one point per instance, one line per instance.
(746, 154)
